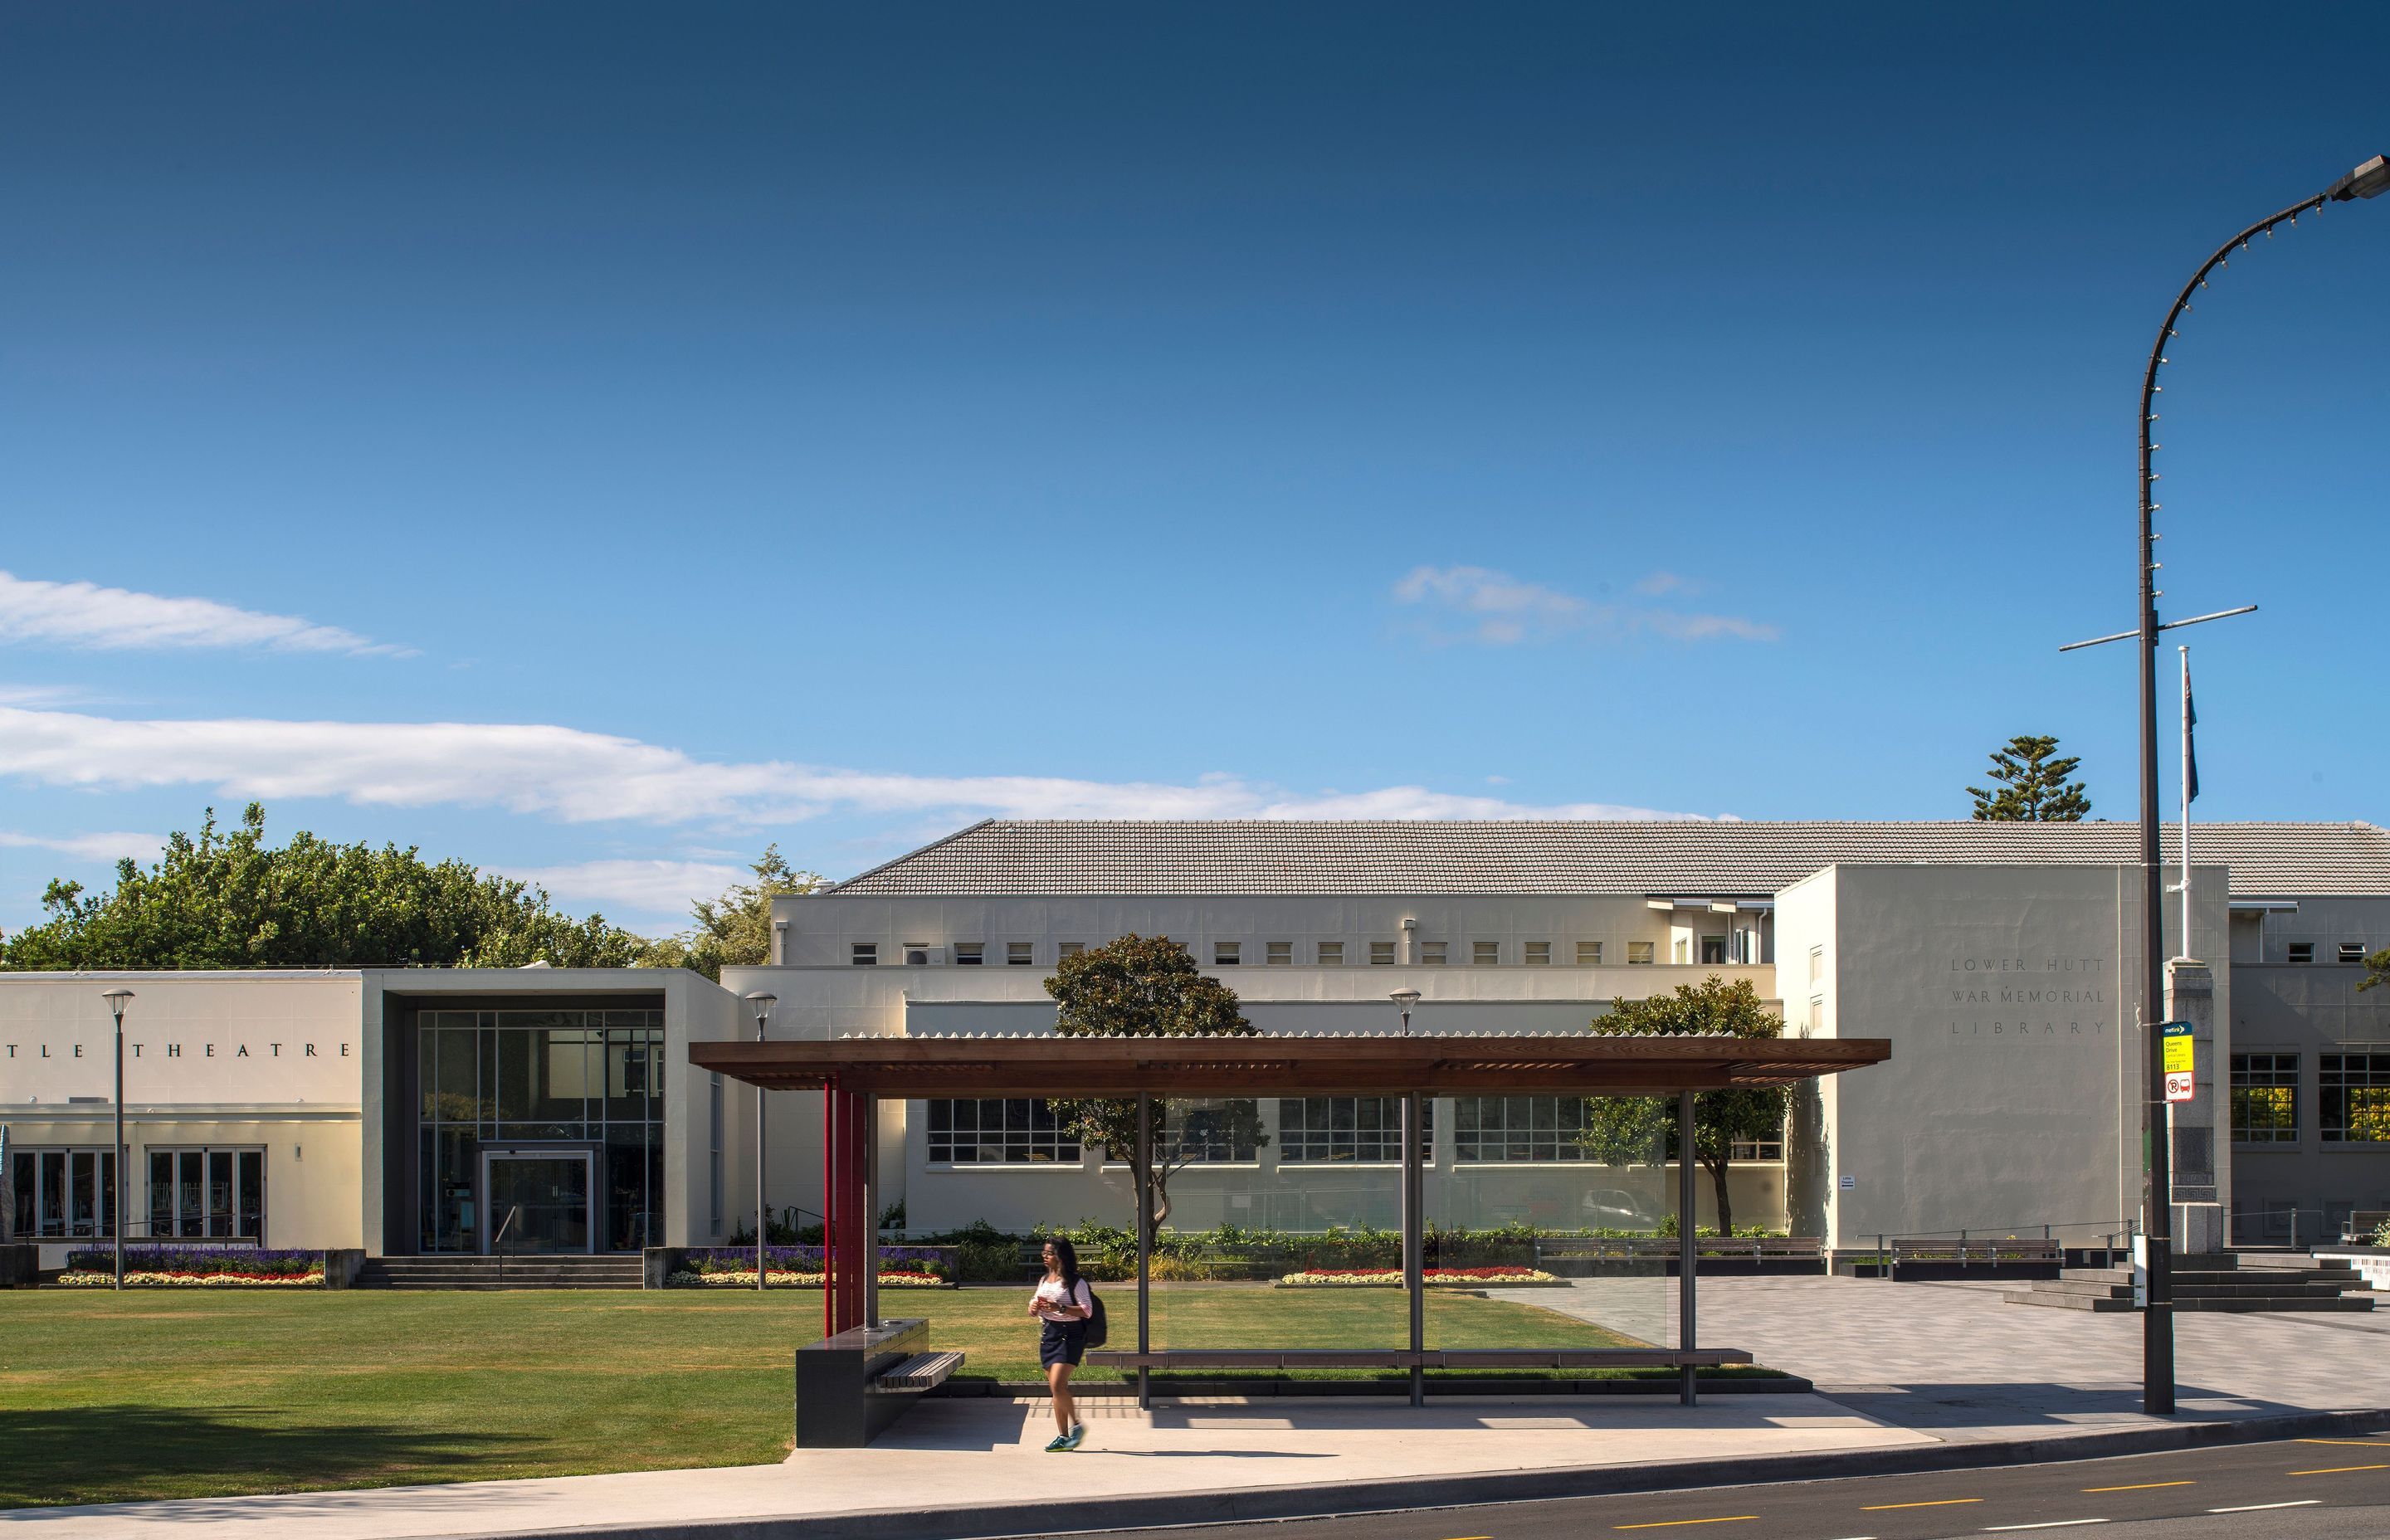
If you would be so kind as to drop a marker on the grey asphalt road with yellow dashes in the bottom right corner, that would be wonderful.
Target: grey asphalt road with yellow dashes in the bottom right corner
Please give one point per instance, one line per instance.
(2296, 1489)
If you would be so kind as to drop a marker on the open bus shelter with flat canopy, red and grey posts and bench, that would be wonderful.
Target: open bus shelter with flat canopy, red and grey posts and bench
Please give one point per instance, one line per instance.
(857, 1072)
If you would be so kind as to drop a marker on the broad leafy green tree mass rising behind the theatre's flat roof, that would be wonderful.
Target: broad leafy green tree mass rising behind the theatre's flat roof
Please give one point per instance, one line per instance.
(228, 900)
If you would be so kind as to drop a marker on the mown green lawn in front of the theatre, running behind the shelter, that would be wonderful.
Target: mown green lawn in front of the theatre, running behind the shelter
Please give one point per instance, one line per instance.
(192, 1395)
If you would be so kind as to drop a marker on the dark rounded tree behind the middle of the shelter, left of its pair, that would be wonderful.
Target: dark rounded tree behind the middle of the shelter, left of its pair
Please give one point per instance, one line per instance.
(1146, 986)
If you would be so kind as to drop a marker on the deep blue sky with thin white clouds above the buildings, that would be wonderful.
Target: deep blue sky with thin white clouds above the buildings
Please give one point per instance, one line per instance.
(601, 441)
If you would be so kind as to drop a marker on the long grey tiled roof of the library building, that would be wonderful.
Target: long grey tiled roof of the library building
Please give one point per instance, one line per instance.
(1657, 857)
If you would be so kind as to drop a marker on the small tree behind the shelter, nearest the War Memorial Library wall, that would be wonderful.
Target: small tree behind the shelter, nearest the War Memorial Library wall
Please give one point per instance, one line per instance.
(1641, 1130)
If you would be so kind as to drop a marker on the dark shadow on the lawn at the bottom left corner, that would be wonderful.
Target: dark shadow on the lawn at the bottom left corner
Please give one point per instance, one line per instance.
(80, 1455)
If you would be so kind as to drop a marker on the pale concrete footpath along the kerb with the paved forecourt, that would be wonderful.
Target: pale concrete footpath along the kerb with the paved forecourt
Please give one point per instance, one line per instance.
(1916, 1376)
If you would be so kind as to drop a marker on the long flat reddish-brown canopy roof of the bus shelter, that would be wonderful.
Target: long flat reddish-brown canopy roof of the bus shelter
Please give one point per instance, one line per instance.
(1285, 1065)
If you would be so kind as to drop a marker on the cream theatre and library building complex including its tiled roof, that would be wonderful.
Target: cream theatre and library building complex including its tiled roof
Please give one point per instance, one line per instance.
(417, 1111)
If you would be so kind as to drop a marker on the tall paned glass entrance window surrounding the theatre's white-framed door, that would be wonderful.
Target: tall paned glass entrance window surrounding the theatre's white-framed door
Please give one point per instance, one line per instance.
(577, 1080)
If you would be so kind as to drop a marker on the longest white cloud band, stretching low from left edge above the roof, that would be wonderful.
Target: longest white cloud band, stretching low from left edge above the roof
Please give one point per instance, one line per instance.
(587, 776)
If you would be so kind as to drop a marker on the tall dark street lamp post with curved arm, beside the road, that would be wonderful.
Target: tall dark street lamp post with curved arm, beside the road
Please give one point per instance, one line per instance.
(2159, 1319)
